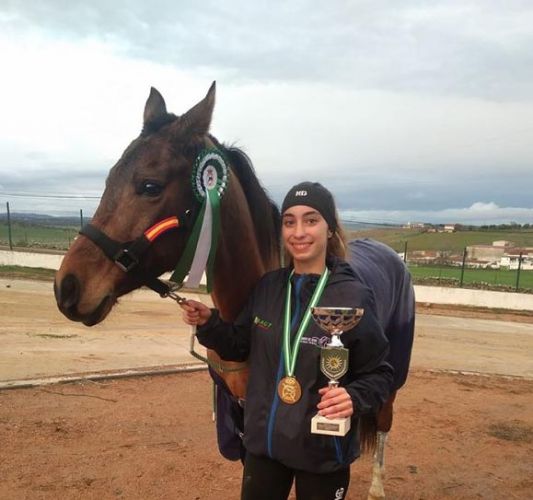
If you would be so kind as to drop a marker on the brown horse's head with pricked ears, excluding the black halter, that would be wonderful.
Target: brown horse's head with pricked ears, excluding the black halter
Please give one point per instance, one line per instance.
(150, 183)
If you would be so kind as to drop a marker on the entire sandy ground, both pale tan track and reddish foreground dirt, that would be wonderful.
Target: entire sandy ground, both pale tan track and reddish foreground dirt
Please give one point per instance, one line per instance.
(454, 436)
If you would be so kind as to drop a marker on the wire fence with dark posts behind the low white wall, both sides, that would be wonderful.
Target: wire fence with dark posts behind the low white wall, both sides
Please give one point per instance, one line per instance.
(502, 267)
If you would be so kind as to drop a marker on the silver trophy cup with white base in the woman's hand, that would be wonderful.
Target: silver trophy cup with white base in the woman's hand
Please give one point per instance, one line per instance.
(334, 359)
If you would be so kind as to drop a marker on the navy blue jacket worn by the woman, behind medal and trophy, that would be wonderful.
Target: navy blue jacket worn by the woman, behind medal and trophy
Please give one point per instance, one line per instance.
(273, 428)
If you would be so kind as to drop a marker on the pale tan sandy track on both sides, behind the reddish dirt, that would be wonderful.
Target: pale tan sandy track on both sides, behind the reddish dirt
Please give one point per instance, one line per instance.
(145, 331)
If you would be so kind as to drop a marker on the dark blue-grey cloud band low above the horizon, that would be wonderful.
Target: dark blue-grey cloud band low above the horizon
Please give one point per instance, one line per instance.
(364, 193)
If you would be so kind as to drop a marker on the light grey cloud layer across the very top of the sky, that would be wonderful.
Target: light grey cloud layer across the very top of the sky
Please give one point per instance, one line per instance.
(455, 48)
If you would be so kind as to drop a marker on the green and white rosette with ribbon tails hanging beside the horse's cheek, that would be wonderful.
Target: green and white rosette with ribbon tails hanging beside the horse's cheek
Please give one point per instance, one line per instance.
(209, 182)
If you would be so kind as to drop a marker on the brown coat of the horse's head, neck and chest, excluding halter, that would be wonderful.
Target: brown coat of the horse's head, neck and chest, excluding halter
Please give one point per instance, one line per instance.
(152, 182)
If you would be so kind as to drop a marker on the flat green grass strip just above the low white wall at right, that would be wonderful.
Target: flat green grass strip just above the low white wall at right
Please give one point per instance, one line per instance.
(487, 277)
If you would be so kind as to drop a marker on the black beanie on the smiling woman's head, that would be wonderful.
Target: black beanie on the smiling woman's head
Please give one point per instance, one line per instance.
(315, 195)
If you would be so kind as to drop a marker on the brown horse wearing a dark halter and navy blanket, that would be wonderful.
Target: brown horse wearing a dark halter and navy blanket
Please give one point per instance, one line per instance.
(149, 191)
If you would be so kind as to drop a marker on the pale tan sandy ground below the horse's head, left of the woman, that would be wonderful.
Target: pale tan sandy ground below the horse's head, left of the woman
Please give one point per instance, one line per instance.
(38, 342)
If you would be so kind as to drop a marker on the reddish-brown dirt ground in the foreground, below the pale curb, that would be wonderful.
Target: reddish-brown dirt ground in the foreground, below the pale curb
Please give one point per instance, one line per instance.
(454, 436)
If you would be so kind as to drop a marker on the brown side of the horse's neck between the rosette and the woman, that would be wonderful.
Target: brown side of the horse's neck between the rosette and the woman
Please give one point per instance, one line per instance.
(238, 265)
